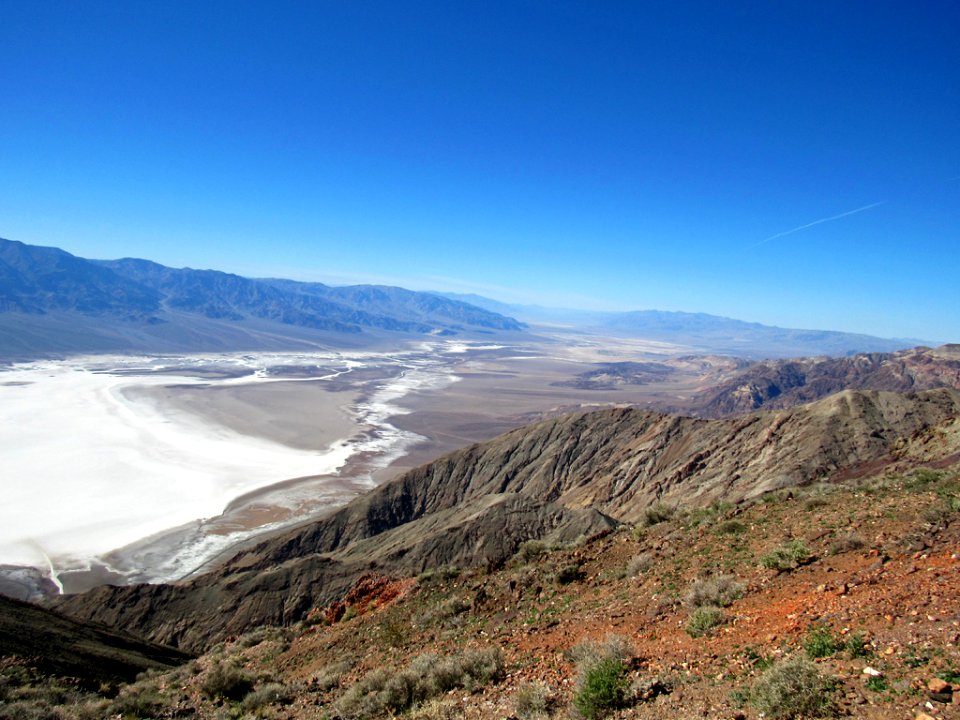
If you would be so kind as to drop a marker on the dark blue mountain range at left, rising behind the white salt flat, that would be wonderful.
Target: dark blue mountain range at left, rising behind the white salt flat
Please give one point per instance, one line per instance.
(54, 302)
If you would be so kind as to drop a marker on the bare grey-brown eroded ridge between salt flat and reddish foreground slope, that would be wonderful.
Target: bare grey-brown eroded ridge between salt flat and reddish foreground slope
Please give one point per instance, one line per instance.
(557, 479)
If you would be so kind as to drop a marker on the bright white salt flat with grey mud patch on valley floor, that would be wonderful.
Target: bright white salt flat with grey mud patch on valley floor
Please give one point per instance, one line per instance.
(99, 453)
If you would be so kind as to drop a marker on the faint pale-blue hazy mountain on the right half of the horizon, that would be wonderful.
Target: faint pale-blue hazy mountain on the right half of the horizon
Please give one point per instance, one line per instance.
(702, 332)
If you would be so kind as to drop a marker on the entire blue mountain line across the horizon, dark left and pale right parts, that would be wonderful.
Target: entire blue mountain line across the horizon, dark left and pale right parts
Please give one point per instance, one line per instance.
(54, 303)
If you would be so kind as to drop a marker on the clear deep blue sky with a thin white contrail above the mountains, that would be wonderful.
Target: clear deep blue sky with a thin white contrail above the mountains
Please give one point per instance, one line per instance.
(614, 155)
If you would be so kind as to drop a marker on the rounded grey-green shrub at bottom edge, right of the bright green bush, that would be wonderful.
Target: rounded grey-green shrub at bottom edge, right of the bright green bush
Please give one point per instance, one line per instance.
(793, 688)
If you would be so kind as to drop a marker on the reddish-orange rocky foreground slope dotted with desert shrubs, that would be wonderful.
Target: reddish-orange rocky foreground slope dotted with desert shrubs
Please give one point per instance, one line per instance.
(858, 620)
